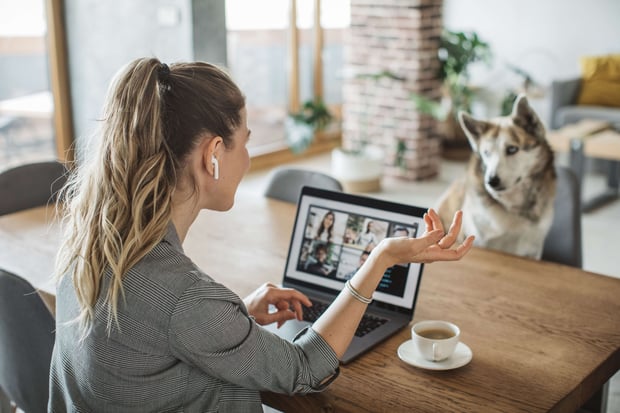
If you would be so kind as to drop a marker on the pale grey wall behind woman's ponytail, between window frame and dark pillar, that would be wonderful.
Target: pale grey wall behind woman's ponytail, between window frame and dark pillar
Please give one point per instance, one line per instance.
(104, 36)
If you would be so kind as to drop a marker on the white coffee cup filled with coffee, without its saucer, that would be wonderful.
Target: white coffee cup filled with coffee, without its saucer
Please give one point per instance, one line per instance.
(435, 340)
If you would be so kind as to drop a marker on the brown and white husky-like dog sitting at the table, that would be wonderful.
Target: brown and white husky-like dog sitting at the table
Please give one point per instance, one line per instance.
(508, 192)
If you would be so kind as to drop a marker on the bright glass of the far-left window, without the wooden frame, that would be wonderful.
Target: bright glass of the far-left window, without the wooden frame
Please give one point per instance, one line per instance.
(26, 108)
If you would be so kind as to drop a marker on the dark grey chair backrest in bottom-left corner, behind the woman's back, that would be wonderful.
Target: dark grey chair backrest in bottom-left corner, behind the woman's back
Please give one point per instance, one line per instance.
(26, 344)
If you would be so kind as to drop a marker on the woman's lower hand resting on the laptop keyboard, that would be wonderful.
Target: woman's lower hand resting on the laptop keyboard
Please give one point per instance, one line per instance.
(287, 301)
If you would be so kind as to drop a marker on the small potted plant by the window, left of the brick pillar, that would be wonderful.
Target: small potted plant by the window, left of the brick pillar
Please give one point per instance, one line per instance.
(302, 126)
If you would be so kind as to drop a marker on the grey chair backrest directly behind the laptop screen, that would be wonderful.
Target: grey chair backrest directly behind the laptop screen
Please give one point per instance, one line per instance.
(285, 183)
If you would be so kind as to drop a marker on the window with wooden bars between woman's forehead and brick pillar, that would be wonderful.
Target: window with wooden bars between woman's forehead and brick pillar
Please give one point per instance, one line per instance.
(279, 65)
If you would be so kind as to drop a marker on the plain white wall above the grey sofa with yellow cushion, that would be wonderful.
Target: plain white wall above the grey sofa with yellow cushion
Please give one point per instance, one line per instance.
(544, 37)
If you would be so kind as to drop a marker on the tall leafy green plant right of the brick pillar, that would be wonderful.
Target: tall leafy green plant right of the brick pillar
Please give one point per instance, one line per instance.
(457, 51)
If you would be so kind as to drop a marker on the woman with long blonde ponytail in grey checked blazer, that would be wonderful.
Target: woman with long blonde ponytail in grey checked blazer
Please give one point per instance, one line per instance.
(139, 326)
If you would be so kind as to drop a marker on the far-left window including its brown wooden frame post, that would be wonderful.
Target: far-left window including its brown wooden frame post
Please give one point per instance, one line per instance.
(35, 110)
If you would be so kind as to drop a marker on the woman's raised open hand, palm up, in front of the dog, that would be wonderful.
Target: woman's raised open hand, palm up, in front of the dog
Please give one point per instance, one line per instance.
(433, 245)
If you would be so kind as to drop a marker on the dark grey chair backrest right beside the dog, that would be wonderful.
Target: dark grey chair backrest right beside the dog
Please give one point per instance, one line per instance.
(563, 242)
